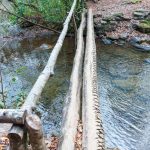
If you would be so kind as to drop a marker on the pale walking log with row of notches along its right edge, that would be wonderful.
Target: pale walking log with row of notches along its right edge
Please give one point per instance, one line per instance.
(93, 135)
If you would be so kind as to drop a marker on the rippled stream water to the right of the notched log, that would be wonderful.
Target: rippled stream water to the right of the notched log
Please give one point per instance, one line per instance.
(124, 88)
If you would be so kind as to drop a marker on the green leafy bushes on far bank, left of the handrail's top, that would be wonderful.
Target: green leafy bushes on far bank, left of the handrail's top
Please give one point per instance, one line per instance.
(50, 10)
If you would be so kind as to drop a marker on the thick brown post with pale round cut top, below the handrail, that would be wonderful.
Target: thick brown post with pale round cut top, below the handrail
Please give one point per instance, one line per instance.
(34, 127)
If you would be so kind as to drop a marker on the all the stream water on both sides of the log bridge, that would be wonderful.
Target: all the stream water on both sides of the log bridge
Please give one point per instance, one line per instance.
(123, 79)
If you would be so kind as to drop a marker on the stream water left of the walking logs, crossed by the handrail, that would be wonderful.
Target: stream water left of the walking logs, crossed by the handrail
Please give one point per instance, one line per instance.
(22, 61)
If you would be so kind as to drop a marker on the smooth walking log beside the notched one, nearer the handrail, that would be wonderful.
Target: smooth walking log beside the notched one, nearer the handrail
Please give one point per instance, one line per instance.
(73, 98)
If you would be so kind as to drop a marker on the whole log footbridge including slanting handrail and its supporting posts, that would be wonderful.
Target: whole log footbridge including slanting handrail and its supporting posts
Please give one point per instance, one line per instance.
(81, 103)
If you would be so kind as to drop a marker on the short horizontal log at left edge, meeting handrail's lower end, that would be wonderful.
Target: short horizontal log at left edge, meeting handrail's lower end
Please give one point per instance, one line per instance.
(16, 116)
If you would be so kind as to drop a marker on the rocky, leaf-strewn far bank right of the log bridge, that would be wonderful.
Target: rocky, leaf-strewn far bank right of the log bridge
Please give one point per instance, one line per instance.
(121, 22)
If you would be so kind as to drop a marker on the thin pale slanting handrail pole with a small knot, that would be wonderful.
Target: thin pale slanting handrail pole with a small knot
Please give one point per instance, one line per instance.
(35, 93)
